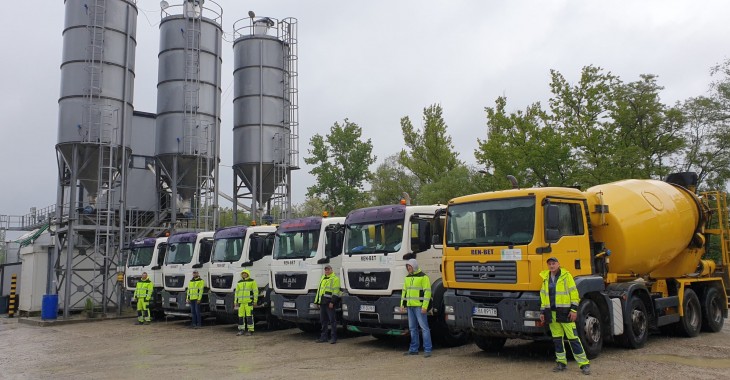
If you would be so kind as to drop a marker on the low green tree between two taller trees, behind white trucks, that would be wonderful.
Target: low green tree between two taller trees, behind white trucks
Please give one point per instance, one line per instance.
(390, 181)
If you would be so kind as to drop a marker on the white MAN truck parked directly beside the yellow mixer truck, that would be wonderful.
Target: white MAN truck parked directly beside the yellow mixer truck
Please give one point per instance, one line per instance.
(378, 242)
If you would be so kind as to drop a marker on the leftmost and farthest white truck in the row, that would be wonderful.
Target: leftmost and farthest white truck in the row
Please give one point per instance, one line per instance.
(146, 255)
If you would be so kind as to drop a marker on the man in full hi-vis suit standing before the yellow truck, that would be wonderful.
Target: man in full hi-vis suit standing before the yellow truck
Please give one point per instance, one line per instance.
(559, 301)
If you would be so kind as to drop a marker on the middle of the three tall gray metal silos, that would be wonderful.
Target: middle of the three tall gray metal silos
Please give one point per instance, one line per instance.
(188, 112)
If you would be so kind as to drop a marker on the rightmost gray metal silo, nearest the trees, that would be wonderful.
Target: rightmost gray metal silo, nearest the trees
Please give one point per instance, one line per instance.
(265, 113)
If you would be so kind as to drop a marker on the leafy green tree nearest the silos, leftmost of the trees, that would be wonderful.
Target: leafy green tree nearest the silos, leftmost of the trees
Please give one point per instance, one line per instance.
(341, 166)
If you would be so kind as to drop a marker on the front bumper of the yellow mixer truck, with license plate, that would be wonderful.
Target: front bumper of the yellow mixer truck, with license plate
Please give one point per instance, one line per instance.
(506, 313)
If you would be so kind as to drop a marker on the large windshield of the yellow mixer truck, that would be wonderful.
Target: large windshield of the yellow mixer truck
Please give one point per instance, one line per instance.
(491, 223)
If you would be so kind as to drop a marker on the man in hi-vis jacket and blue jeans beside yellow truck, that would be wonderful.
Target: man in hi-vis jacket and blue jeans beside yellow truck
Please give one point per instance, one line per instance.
(415, 299)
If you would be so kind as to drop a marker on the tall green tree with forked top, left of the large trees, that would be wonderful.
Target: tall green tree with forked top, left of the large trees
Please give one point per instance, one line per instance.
(430, 153)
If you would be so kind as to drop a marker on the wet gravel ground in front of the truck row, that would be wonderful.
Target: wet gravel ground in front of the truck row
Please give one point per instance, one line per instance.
(116, 349)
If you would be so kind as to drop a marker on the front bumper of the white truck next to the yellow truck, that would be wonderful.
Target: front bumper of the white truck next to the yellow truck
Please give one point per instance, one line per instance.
(374, 315)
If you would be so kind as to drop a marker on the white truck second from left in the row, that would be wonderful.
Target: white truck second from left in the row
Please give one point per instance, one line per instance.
(186, 252)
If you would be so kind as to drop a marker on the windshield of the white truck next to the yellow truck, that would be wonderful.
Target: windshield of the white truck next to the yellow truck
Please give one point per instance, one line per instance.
(377, 237)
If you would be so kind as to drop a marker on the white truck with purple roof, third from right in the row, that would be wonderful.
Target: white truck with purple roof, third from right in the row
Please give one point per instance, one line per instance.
(302, 248)
